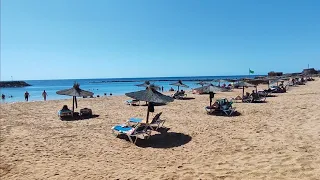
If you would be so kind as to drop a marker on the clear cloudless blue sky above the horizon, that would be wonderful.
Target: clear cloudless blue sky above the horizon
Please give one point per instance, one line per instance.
(64, 39)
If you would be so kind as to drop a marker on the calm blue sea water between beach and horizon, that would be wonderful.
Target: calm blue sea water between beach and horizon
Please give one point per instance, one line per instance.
(116, 86)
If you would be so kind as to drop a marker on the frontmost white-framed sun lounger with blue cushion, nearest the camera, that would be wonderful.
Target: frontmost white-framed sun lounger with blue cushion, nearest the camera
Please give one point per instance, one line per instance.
(137, 131)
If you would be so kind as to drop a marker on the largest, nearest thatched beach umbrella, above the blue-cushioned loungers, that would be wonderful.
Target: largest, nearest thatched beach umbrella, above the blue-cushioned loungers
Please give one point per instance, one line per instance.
(150, 95)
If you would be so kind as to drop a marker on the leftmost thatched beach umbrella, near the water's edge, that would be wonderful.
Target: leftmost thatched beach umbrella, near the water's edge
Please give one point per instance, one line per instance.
(75, 92)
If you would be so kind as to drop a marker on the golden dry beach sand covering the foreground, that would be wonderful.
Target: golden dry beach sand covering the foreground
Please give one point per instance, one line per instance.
(279, 139)
